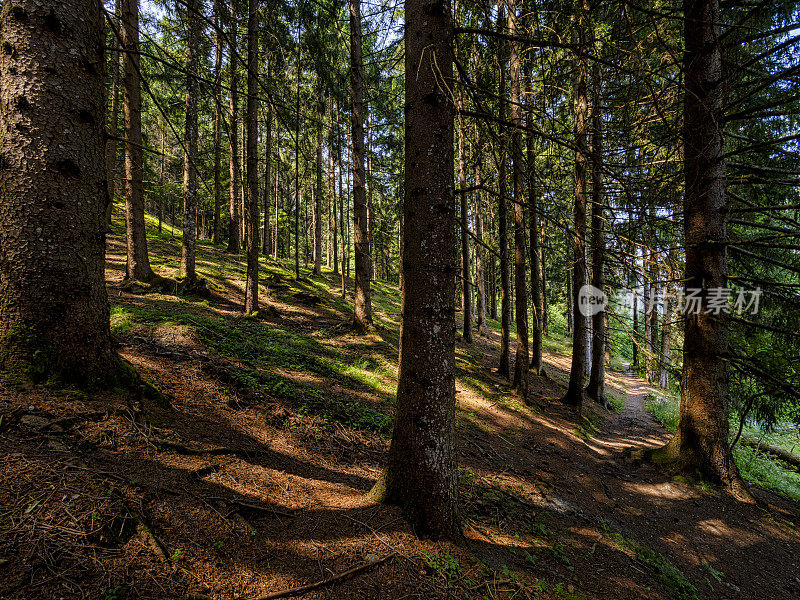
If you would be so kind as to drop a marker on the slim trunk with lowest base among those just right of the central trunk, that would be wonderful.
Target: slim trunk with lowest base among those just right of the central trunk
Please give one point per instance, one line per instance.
(522, 359)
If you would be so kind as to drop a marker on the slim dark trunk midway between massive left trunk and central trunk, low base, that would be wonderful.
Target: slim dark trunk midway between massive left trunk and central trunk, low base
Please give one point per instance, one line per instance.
(251, 198)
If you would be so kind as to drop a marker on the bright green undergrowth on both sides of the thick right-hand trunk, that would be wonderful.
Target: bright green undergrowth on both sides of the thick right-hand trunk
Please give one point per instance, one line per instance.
(756, 467)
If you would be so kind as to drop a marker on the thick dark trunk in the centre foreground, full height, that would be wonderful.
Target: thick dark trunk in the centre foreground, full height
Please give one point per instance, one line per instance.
(420, 474)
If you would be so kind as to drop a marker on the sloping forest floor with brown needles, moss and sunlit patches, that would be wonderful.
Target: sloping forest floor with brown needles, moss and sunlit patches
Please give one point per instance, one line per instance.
(246, 475)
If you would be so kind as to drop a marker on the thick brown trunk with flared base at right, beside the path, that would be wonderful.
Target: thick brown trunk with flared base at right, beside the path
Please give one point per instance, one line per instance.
(701, 441)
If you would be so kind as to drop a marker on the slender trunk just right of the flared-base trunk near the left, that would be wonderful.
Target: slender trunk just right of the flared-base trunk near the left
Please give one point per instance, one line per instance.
(190, 132)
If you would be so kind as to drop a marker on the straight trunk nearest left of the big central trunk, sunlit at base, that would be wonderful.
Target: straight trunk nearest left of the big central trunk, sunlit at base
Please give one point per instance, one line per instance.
(363, 305)
